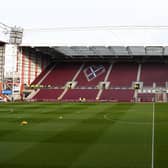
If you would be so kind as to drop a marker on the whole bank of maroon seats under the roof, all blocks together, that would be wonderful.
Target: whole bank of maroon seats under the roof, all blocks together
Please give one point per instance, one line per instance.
(89, 75)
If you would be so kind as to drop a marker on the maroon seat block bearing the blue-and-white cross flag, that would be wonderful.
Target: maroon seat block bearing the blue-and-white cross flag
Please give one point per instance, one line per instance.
(86, 89)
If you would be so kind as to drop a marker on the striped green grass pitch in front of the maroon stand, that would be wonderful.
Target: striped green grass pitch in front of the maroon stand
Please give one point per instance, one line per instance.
(89, 135)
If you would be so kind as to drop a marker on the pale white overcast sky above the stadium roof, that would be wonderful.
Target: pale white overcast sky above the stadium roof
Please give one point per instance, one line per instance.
(63, 13)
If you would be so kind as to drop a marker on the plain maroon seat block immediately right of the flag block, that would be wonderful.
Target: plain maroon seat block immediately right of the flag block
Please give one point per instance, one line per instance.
(120, 77)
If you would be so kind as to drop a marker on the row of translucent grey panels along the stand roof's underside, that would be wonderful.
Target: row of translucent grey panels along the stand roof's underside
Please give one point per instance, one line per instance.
(114, 51)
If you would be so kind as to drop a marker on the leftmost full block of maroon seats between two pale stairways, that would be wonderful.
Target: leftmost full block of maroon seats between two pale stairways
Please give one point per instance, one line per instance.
(57, 75)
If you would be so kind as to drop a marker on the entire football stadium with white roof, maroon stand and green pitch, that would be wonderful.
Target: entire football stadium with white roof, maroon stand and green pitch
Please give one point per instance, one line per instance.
(67, 102)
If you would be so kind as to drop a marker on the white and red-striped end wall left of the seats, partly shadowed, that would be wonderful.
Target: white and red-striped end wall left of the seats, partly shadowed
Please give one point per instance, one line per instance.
(30, 64)
